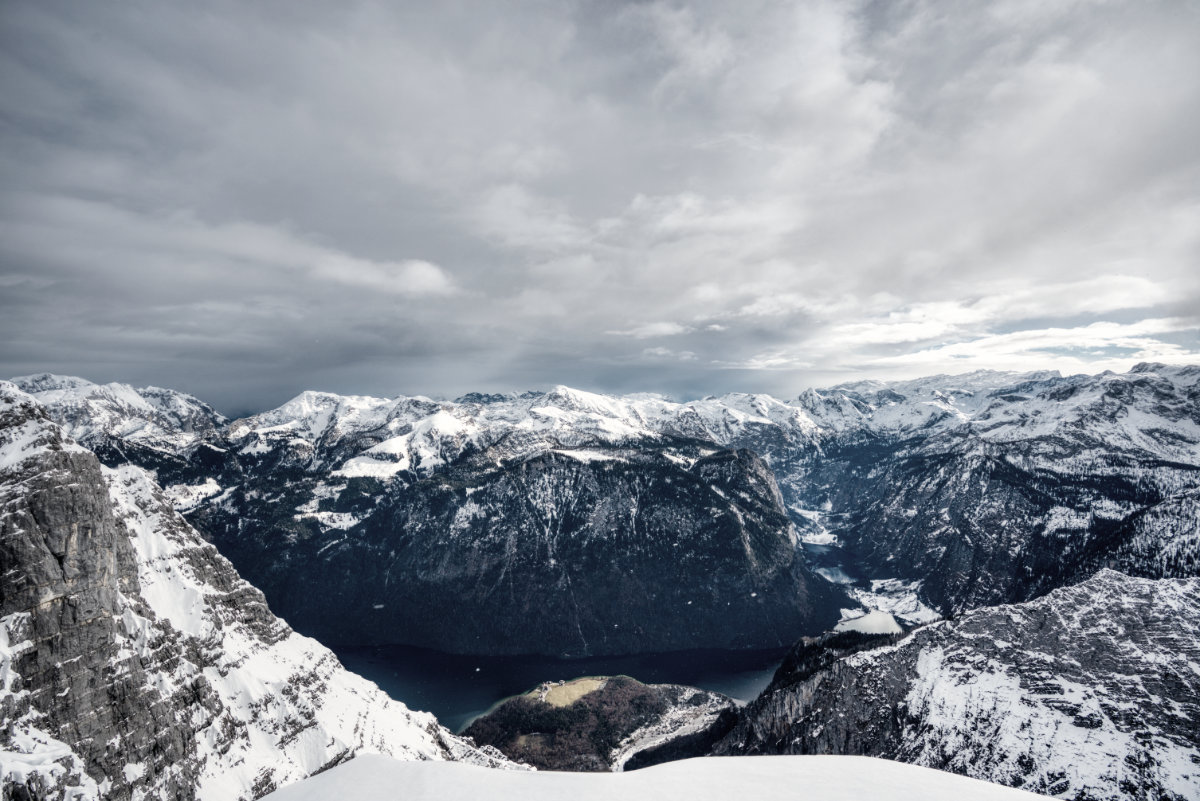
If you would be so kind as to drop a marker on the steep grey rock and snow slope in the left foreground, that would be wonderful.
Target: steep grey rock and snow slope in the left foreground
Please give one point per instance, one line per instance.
(136, 664)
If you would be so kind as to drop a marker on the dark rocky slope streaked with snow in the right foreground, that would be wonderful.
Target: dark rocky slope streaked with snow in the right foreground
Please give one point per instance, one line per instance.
(1090, 692)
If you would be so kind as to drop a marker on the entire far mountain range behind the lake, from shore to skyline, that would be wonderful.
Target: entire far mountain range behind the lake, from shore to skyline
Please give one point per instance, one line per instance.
(574, 523)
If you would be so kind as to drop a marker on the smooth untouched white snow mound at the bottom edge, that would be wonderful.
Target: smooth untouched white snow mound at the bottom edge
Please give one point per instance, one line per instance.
(763, 779)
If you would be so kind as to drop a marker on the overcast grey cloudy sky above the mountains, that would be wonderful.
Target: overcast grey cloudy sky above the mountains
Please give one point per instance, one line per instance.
(245, 201)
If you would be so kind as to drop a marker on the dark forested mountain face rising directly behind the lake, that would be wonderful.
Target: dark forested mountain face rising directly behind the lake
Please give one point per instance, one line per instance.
(619, 553)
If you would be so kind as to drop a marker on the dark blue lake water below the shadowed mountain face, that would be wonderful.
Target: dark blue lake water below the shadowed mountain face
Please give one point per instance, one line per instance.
(459, 689)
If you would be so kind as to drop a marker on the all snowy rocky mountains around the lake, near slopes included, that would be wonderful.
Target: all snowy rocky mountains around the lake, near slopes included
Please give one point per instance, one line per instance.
(1033, 534)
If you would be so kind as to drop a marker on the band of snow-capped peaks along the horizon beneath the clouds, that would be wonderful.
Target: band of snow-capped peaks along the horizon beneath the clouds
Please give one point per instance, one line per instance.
(1154, 408)
